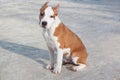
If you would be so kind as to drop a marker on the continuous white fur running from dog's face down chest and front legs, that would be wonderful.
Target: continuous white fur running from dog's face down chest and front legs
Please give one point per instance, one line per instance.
(52, 41)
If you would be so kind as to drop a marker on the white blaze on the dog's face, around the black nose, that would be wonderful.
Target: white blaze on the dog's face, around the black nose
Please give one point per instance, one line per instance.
(47, 17)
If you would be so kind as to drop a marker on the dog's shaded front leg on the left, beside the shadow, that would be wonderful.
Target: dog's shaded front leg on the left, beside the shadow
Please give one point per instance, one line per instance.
(51, 65)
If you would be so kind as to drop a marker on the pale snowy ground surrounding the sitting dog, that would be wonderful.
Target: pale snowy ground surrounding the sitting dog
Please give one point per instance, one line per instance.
(23, 53)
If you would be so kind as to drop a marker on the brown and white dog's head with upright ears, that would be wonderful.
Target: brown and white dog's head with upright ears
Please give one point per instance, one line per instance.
(48, 15)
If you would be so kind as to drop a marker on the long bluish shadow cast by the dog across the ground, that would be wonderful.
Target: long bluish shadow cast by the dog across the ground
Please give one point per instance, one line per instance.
(38, 55)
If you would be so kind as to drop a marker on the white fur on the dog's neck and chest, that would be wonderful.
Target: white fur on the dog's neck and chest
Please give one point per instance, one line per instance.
(48, 34)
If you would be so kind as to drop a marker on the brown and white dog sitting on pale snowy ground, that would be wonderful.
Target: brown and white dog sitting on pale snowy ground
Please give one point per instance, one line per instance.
(61, 40)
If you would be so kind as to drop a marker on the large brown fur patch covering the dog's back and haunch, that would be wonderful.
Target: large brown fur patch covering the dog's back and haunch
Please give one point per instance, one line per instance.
(68, 39)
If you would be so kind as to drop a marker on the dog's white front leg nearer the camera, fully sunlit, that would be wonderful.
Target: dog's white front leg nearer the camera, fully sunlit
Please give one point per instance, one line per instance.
(59, 59)
